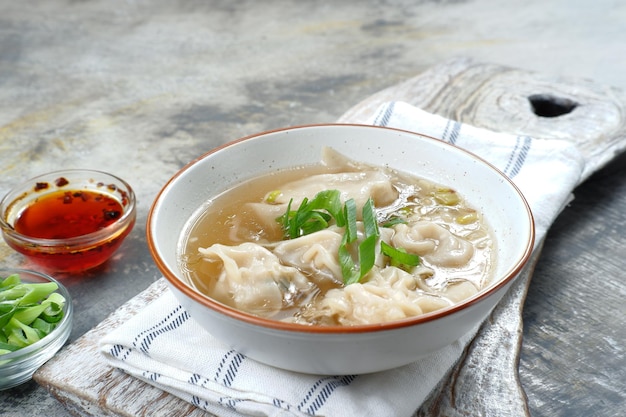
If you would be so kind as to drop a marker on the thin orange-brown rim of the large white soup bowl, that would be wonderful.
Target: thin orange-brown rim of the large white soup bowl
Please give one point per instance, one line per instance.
(363, 328)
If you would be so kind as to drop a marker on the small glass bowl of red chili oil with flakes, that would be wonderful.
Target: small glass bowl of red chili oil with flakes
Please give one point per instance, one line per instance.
(68, 221)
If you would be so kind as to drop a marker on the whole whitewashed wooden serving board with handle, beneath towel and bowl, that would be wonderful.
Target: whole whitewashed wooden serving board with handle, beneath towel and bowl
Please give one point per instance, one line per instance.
(485, 381)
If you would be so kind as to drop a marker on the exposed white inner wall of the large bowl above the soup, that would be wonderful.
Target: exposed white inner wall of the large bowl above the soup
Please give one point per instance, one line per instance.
(483, 186)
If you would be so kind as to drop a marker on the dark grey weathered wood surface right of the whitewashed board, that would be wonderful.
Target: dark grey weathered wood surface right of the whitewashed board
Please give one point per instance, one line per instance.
(573, 359)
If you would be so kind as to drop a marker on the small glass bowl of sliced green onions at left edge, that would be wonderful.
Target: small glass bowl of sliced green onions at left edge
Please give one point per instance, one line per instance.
(35, 322)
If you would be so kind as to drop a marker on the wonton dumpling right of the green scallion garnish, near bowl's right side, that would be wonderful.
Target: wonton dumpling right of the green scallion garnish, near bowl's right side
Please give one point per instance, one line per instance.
(434, 243)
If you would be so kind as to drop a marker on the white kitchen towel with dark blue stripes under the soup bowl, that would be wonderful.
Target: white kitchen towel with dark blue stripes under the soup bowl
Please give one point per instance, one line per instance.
(163, 346)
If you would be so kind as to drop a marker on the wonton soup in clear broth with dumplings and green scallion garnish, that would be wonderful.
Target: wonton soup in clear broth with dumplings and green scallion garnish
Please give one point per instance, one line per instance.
(338, 243)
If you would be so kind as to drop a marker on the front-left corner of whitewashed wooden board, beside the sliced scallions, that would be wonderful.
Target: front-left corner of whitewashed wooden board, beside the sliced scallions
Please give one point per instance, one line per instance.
(81, 380)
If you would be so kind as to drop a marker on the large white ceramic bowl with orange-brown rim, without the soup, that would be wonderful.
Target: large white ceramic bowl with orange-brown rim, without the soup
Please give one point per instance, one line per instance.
(341, 350)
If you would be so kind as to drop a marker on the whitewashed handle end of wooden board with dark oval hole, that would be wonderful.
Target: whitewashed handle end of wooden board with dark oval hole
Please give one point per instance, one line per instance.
(500, 99)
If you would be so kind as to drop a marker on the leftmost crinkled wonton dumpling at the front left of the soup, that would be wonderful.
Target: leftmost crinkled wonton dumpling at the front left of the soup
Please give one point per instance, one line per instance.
(251, 278)
